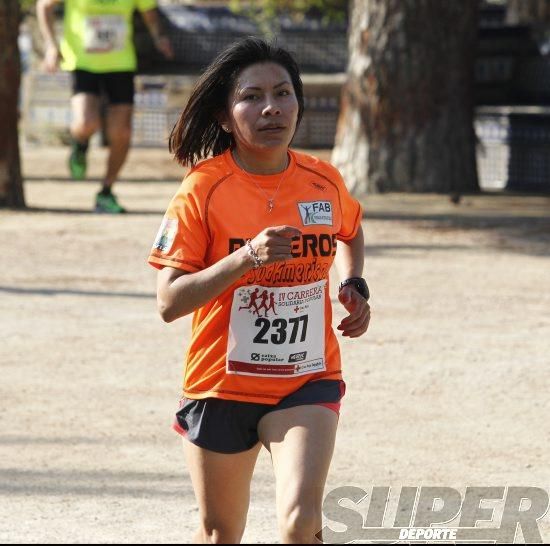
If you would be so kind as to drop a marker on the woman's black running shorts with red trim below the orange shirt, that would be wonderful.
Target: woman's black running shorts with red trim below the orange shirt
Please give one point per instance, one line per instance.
(228, 426)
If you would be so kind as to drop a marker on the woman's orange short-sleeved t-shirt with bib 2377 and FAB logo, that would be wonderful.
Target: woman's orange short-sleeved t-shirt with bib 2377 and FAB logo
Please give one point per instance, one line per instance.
(271, 331)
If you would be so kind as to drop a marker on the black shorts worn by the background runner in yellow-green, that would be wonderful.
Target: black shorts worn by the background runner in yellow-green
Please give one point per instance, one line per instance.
(118, 87)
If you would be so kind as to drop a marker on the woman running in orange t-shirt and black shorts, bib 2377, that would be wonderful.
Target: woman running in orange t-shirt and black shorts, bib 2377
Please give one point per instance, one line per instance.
(257, 222)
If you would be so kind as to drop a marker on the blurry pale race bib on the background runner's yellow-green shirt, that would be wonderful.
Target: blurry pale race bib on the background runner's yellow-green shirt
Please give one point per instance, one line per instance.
(105, 33)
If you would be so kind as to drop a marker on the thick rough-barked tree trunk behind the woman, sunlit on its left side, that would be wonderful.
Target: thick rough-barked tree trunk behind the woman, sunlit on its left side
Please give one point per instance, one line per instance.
(406, 120)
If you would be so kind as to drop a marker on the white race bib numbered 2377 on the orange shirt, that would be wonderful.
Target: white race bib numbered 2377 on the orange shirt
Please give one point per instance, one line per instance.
(277, 332)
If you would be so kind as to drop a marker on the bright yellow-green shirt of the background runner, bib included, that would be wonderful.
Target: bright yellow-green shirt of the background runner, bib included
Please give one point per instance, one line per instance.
(98, 35)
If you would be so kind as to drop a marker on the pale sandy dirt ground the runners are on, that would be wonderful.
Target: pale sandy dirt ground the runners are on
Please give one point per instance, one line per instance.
(450, 387)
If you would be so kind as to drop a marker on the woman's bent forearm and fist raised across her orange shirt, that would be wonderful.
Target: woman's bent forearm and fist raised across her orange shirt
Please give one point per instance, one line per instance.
(180, 293)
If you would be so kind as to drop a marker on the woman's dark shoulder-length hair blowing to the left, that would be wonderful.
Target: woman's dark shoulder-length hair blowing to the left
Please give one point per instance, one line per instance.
(197, 132)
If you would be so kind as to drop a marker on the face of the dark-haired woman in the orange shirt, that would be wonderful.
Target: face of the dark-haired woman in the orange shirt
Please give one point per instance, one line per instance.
(263, 108)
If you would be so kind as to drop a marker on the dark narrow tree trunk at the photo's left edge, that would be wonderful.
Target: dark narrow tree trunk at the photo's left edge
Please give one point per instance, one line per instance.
(11, 184)
